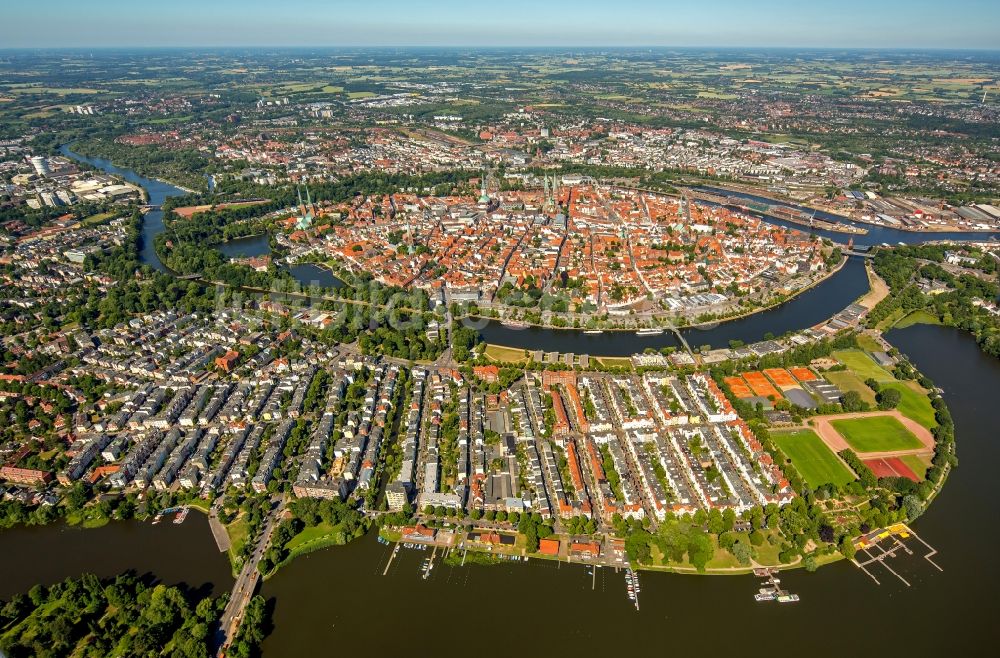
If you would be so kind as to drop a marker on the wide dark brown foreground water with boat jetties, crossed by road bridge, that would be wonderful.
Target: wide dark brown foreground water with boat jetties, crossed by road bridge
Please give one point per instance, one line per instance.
(339, 598)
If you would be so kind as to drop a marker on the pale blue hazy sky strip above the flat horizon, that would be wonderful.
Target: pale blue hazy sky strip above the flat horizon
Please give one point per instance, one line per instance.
(742, 23)
